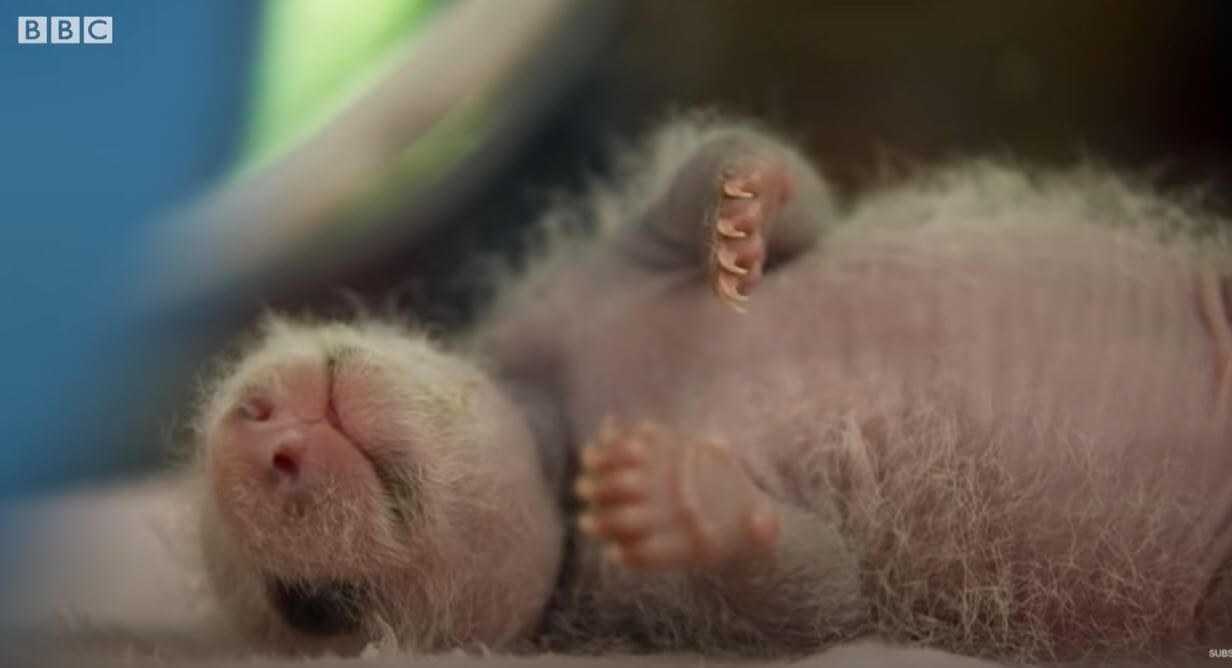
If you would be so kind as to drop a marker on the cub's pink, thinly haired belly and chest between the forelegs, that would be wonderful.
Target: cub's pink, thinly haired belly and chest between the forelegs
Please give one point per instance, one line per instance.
(1018, 409)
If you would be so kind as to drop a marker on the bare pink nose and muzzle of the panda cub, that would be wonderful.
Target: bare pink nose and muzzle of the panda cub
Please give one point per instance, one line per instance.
(288, 481)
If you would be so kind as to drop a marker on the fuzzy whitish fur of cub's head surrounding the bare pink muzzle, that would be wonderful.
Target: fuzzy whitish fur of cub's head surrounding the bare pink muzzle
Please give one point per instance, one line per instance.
(471, 462)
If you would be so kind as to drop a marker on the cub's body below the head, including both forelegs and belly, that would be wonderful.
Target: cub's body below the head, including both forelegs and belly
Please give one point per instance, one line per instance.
(983, 411)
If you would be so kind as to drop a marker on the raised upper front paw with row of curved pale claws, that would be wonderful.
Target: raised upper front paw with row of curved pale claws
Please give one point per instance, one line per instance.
(751, 194)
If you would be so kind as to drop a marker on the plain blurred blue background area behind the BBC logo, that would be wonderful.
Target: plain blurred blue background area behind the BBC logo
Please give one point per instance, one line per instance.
(99, 141)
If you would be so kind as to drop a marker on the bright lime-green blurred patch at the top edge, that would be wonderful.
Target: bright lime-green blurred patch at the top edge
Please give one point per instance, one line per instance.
(316, 56)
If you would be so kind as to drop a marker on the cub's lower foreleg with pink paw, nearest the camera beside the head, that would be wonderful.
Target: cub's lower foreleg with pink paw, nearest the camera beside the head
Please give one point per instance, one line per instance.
(688, 527)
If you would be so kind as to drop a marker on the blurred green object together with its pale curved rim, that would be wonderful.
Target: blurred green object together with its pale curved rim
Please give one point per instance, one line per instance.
(371, 121)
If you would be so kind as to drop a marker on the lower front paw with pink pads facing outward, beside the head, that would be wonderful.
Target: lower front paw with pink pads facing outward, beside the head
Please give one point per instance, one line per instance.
(657, 501)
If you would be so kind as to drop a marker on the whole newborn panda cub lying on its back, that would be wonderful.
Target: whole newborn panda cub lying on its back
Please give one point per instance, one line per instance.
(983, 411)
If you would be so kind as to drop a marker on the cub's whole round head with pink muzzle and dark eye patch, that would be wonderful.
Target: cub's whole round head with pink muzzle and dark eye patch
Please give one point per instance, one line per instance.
(359, 483)
